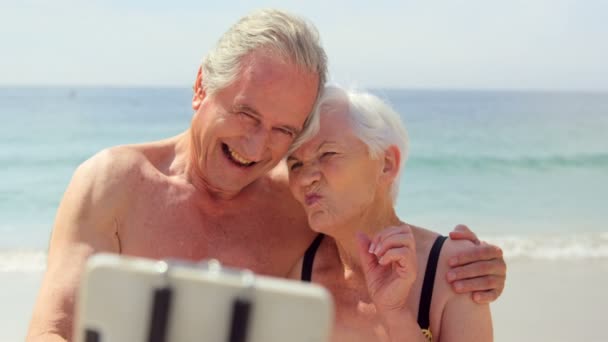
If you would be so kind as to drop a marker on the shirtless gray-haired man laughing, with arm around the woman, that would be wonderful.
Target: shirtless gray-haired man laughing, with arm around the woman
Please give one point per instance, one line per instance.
(217, 190)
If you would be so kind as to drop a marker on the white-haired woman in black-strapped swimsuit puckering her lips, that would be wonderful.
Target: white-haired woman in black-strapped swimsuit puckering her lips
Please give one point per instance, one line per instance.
(380, 270)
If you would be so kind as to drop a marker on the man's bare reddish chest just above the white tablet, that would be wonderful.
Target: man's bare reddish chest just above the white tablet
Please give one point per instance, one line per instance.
(264, 241)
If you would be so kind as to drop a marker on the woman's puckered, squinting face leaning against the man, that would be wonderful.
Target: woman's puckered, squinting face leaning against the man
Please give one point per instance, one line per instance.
(332, 175)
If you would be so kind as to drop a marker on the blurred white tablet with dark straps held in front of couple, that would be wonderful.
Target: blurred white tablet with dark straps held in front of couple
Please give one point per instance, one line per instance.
(134, 299)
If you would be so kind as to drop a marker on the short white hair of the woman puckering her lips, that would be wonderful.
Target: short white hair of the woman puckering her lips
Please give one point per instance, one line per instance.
(373, 121)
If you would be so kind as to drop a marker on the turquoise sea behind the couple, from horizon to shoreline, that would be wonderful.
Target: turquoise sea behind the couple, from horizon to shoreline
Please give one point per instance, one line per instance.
(525, 170)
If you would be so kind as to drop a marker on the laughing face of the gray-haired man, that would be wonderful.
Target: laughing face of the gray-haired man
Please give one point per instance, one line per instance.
(244, 130)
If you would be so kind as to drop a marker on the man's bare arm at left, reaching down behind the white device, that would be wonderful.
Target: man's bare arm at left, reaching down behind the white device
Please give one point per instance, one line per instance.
(86, 223)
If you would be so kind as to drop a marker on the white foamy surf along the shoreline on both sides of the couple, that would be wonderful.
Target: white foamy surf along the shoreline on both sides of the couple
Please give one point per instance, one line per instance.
(540, 247)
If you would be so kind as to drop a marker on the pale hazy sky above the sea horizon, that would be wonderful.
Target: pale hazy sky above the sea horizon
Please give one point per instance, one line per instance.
(472, 44)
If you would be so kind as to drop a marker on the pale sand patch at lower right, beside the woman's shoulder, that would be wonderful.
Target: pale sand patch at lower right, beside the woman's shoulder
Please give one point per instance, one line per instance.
(553, 301)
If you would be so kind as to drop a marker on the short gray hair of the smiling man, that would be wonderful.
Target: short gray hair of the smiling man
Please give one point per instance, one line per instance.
(284, 34)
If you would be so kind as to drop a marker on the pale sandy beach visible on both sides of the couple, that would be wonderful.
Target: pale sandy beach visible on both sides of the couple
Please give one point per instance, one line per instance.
(558, 301)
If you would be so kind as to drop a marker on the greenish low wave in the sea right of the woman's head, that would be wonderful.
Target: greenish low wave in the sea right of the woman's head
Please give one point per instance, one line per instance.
(541, 163)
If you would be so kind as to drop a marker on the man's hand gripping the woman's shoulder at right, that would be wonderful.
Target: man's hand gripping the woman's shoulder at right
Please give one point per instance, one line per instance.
(480, 269)
